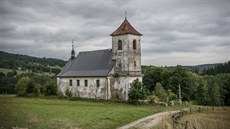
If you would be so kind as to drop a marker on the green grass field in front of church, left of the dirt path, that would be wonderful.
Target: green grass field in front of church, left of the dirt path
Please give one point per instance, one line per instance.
(55, 113)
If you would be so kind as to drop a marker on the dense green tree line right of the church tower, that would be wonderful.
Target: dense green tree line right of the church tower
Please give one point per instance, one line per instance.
(163, 83)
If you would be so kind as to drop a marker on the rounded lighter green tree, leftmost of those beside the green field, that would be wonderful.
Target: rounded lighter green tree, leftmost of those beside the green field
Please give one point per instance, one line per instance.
(21, 86)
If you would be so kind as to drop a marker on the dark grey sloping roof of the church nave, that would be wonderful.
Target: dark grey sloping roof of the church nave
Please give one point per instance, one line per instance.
(89, 64)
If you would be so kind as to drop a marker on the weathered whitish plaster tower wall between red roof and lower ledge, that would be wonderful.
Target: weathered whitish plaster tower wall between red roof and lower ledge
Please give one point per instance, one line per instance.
(127, 55)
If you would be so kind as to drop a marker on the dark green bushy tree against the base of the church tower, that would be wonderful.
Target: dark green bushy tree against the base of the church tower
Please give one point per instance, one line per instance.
(137, 91)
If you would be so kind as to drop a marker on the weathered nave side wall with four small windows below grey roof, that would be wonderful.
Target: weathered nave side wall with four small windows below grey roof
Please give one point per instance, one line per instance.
(82, 91)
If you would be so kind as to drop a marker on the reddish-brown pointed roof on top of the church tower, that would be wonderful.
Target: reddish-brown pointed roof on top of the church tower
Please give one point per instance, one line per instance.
(125, 28)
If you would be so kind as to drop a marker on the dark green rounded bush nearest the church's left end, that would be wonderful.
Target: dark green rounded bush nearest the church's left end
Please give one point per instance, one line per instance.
(51, 88)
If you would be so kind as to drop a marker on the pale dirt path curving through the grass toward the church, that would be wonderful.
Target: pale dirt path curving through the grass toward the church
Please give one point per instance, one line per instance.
(149, 121)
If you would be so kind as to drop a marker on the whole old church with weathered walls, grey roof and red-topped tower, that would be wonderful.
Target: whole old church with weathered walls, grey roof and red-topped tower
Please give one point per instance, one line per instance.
(107, 73)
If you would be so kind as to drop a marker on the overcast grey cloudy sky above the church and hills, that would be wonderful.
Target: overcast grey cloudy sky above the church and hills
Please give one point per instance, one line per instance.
(175, 32)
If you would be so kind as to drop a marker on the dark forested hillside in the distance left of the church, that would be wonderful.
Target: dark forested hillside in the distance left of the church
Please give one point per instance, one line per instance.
(34, 64)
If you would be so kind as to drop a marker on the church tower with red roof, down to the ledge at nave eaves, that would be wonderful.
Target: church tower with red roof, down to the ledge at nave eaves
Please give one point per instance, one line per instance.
(126, 49)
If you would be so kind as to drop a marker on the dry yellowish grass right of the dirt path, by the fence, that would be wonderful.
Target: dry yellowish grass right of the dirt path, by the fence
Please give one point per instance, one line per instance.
(219, 118)
